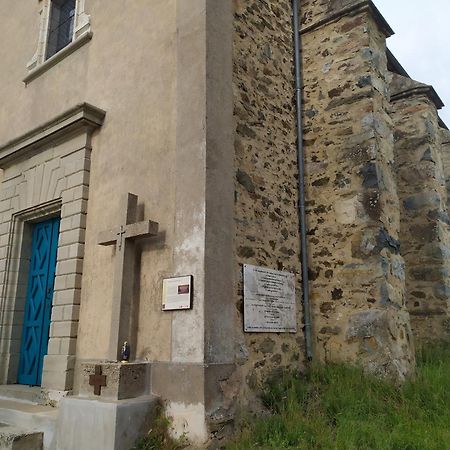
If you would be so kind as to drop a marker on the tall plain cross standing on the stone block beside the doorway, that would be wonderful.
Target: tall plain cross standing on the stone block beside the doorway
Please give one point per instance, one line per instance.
(124, 238)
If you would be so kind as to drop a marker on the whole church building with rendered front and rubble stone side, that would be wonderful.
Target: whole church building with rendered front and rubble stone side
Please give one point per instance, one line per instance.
(196, 195)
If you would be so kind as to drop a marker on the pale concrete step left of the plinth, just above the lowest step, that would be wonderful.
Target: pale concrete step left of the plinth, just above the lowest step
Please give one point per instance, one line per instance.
(32, 418)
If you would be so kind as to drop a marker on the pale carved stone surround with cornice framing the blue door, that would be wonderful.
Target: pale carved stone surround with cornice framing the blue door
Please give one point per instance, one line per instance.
(45, 174)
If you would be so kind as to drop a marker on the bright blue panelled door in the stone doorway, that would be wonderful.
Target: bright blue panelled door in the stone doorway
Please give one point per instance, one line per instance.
(38, 306)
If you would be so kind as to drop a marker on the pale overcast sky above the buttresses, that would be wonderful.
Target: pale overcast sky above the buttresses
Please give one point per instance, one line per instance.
(422, 42)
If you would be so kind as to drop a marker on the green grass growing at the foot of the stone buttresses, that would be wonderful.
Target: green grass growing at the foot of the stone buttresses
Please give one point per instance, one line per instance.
(338, 408)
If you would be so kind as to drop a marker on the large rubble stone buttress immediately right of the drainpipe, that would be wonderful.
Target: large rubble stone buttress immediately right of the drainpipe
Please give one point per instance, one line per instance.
(357, 273)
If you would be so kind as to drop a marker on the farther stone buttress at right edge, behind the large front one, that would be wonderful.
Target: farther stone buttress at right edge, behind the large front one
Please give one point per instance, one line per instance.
(424, 216)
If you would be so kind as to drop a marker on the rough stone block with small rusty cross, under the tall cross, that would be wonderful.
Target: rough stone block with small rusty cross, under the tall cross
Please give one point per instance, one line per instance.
(123, 381)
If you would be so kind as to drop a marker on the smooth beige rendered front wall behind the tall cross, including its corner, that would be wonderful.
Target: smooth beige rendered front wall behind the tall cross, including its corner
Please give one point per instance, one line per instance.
(166, 122)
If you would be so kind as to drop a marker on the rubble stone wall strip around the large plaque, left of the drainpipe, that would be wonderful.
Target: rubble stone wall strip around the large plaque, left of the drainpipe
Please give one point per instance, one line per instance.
(266, 217)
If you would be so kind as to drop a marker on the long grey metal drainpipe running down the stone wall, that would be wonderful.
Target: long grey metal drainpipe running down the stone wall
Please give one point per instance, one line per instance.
(301, 182)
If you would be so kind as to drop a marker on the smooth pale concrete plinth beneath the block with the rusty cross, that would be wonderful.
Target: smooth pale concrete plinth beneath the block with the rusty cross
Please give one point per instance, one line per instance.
(103, 424)
